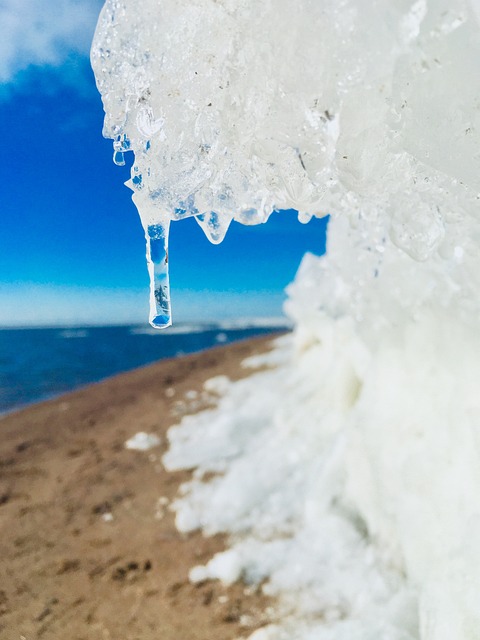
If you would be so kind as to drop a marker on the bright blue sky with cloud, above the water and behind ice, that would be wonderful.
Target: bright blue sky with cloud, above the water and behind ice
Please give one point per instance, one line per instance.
(71, 244)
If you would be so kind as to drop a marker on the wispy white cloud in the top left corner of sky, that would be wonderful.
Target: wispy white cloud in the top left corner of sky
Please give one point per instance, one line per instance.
(44, 32)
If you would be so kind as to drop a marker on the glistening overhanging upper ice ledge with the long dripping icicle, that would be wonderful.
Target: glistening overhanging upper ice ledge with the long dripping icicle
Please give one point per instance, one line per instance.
(235, 108)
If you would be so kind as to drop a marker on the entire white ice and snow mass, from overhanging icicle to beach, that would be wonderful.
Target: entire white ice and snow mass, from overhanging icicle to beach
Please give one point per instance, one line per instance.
(349, 473)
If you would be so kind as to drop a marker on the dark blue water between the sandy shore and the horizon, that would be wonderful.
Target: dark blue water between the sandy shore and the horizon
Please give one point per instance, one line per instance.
(36, 364)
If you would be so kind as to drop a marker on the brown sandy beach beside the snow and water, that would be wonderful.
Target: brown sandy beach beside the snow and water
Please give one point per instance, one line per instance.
(67, 570)
